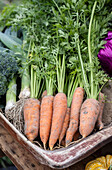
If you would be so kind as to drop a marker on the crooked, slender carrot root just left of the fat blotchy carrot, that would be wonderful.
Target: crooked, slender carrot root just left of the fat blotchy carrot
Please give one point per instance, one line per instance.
(74, 114)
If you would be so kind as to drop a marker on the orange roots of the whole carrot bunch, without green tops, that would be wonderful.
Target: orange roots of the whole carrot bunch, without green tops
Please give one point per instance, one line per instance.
(54, 120)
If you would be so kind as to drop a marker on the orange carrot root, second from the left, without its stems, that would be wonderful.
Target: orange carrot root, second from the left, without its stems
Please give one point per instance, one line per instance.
(46, 112)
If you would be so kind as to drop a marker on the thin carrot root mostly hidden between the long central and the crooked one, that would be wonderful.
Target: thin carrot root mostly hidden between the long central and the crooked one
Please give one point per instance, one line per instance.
(65, 125)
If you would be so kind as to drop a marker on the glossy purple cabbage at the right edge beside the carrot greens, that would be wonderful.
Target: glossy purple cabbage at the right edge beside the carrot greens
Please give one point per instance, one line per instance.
(105, 55)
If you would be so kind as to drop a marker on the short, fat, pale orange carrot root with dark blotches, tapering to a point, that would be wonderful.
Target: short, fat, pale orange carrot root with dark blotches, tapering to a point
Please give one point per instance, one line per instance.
(88, 116)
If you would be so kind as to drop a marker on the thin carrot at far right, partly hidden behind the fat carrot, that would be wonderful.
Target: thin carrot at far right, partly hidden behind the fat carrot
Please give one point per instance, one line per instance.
(101, 99)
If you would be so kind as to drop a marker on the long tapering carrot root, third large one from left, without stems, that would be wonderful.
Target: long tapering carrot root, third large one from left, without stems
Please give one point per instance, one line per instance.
(59, 111)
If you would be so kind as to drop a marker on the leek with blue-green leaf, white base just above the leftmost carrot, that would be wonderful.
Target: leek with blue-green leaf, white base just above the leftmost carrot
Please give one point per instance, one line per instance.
(16, 45)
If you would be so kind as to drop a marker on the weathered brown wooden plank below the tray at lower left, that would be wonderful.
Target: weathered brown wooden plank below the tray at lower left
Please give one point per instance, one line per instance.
(22, 158)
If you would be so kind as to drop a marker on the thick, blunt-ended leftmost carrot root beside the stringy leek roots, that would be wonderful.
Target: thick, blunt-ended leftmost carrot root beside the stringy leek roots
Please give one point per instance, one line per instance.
(31, 118)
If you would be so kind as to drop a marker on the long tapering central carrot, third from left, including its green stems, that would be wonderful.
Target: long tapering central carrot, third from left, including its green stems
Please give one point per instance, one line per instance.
(60, 101)
